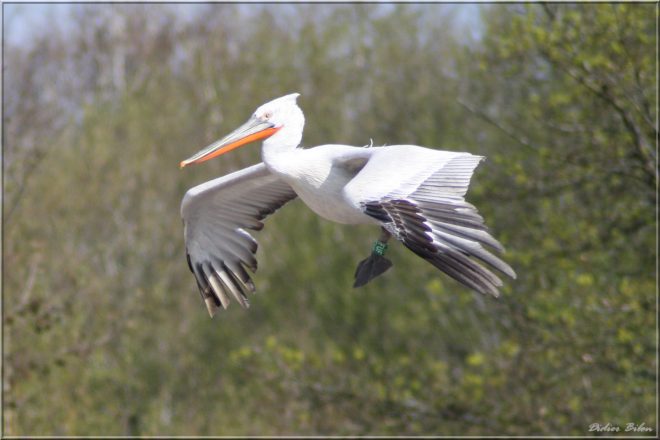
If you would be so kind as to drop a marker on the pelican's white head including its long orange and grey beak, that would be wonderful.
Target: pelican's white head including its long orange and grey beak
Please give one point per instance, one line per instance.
(280, 121)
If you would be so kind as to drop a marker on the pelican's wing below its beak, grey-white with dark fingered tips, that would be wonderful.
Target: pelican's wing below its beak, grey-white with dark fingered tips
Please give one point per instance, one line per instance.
(215, 216)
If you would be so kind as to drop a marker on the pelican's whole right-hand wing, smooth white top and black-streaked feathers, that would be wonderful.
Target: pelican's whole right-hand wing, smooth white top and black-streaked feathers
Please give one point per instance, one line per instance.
(418, 196)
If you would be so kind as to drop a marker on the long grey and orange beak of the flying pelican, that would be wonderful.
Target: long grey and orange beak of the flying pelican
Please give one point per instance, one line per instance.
(253, 130)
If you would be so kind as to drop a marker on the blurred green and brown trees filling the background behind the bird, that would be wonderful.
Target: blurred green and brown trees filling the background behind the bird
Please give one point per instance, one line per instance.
(104, 331)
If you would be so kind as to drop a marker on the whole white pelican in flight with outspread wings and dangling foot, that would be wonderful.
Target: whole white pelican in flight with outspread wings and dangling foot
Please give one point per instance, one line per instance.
(414, 194)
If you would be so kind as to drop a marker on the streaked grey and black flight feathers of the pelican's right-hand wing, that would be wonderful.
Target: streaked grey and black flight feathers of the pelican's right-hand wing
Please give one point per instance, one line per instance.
(436, 223)
